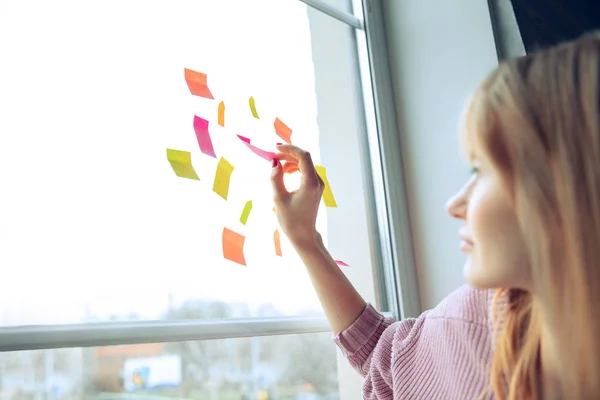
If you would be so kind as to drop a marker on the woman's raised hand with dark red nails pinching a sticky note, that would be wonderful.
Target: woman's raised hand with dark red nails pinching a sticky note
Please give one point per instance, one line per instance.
(297, 210)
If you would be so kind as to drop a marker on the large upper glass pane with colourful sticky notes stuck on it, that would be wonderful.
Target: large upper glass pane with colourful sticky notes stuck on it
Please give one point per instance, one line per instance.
(95, 225)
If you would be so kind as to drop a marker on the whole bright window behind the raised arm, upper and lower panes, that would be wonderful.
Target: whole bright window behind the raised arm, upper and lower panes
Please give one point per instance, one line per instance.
(115, 264)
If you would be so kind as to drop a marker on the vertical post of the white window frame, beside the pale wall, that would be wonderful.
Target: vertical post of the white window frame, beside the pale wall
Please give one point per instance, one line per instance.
(395, 270)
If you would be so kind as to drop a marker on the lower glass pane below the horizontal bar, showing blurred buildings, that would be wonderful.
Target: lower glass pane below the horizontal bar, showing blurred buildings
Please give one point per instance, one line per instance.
(295, 367)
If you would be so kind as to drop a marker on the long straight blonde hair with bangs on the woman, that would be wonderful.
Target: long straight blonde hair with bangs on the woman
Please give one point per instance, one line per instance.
(537, 118)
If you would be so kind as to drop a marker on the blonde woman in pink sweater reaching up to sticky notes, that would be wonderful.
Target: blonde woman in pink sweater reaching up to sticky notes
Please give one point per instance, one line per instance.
(526, 327)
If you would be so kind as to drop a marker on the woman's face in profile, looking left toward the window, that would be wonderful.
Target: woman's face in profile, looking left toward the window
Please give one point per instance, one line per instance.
(490, 235)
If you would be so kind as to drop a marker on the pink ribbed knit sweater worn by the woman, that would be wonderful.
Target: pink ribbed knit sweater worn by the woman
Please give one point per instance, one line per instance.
(443, 354)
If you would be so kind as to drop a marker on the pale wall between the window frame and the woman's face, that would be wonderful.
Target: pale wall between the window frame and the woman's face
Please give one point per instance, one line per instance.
(438, 53)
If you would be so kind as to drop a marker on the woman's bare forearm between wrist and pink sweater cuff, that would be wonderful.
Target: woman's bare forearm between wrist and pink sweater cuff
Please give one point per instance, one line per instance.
(340, 300)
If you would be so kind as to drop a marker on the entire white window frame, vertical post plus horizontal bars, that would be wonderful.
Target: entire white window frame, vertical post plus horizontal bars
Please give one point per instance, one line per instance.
(392, 257)
